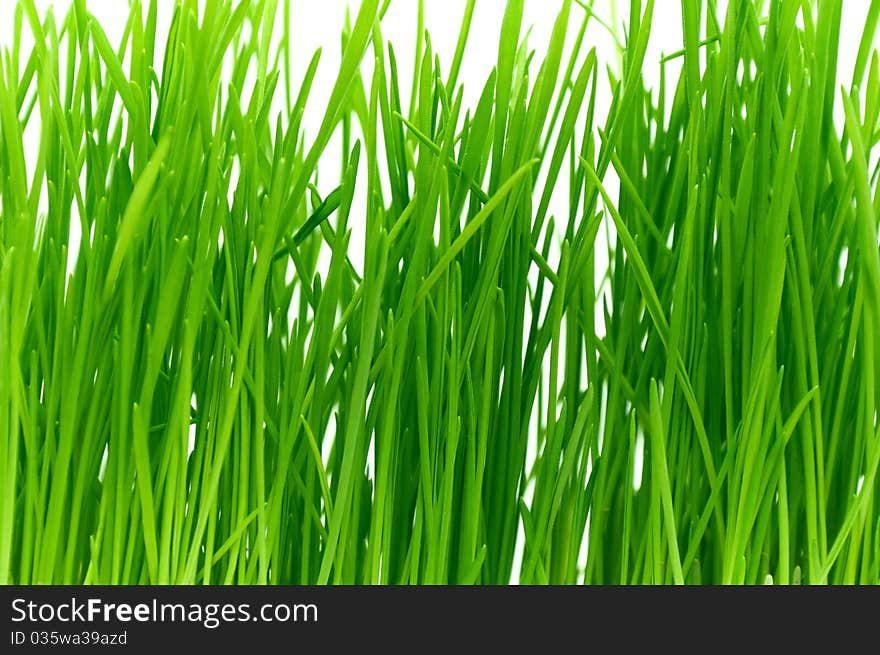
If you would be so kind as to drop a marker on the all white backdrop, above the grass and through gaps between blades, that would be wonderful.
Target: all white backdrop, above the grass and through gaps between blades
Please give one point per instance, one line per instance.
(319, 24)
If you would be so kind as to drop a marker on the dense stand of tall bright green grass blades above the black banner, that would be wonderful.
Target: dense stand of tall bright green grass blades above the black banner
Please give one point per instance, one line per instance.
(229, 388)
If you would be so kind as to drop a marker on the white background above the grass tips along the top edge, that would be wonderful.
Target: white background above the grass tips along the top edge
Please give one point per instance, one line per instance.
(318, 23)
